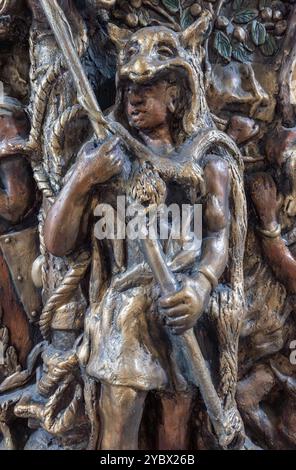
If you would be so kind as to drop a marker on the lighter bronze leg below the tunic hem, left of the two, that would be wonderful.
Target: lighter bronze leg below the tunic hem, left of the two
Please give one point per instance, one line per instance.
(121, 410)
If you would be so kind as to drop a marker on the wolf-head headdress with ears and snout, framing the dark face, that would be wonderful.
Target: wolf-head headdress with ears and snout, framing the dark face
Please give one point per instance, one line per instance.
(153, 53)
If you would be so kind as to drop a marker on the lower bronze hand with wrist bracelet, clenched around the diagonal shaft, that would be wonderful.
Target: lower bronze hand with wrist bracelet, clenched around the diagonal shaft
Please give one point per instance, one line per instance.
(182, 309)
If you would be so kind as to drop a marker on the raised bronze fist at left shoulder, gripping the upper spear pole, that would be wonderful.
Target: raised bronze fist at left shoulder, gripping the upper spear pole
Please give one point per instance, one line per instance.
(101, 164)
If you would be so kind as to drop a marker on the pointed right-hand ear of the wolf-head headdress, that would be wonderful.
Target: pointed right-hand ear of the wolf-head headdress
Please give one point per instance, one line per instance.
(194, 36)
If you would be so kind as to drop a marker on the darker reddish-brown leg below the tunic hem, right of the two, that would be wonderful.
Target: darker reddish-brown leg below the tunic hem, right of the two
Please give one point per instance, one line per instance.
(173, 430)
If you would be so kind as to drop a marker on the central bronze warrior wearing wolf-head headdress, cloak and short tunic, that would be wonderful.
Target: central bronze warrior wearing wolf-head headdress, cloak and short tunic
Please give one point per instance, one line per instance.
(133, 337)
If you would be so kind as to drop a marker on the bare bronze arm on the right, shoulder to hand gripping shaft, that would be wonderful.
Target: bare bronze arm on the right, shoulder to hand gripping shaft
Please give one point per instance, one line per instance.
(183, 309)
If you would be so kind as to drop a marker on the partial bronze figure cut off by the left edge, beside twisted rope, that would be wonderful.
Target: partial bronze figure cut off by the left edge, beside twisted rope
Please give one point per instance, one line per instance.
(19, 204)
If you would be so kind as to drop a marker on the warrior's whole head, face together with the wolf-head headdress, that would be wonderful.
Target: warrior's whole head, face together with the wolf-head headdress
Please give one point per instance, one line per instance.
(159, 76)
